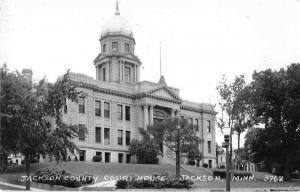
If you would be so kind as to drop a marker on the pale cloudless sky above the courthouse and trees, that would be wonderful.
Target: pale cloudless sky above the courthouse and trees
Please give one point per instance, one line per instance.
(200, 40)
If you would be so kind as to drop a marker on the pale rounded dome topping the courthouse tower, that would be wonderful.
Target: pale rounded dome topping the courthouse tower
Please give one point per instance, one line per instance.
(116, 25)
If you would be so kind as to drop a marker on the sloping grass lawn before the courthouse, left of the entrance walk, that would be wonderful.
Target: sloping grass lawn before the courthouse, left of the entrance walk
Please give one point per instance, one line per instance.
(101, 170)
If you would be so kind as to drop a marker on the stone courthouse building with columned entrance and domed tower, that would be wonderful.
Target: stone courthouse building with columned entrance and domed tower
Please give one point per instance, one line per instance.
(116, 104)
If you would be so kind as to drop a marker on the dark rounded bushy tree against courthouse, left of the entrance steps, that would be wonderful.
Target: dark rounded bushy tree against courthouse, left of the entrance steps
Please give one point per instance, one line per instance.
(146, 149)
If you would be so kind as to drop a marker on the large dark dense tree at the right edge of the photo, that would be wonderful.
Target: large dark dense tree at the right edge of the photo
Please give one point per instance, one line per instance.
(275, 100)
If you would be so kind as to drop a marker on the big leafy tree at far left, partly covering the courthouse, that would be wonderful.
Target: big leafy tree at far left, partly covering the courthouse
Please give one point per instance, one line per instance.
(26, 112)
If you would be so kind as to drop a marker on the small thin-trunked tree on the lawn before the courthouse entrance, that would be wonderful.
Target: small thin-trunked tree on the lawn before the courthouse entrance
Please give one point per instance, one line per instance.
(173, 133)
